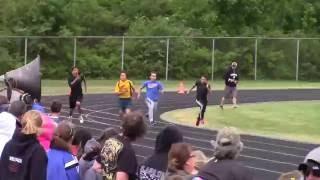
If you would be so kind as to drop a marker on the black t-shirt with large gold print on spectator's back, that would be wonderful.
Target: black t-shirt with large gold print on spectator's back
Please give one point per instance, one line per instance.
(117, 155)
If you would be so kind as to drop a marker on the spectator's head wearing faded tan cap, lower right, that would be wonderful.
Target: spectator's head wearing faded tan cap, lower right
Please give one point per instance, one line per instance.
(228, 144)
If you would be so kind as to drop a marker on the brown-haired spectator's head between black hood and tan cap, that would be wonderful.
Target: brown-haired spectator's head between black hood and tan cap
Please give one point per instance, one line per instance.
(180, 158)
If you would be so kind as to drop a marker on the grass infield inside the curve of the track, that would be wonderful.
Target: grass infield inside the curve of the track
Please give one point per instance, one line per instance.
(299, 121)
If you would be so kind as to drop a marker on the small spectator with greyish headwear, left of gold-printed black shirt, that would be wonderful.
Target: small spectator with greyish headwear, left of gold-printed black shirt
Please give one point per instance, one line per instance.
(91, 151)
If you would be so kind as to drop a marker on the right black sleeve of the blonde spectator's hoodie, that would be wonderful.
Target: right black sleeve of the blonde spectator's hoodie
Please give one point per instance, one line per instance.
(38, 165)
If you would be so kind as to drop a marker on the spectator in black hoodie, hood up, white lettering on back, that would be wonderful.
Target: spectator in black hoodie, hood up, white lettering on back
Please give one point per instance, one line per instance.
(155, 167)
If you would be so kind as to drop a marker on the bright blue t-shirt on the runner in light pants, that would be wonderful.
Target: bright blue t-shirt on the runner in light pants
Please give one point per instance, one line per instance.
(153, 89)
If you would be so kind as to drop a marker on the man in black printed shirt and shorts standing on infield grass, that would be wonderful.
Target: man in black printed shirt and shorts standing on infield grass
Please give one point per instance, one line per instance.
(231, 78)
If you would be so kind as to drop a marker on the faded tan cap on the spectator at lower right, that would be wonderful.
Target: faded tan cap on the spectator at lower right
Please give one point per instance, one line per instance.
(228, 139)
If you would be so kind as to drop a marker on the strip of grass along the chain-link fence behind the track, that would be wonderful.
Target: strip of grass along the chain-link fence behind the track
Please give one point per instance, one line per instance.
(60, 87)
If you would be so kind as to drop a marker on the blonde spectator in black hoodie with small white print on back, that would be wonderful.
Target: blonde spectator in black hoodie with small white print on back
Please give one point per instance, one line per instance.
(23, 158)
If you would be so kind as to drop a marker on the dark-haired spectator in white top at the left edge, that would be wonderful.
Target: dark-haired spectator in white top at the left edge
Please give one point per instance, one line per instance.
(9, 121)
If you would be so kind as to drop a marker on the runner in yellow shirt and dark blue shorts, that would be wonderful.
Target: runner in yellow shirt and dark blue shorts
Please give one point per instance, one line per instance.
(124, 90)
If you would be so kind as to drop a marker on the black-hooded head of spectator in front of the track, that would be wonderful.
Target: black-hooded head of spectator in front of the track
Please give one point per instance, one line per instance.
(166, 138)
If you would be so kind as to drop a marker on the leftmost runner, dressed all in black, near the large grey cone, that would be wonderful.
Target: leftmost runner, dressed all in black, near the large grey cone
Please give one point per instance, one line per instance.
(76, 95)
